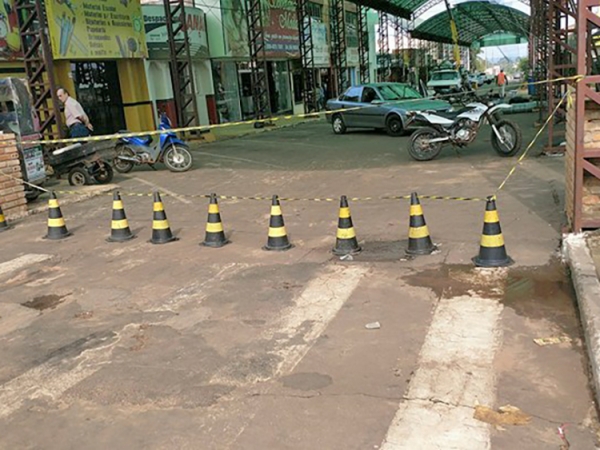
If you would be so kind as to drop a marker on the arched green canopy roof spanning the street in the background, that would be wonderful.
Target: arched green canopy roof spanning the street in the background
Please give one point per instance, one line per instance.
(474, 21)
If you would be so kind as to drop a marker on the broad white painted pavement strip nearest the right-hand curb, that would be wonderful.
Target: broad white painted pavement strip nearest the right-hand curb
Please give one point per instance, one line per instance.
(455, 373)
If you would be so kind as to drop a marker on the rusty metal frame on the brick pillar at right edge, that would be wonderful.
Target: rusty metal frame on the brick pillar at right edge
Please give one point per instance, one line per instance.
(585, 90)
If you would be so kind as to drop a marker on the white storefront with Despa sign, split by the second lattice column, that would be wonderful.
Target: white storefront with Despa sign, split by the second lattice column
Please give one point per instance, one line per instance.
(158, 67)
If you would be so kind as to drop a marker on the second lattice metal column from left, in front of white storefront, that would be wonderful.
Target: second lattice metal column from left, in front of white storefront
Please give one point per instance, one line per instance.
(182, 74)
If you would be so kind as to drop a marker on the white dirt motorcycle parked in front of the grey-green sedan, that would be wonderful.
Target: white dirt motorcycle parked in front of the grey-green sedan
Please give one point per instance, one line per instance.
(460, 128)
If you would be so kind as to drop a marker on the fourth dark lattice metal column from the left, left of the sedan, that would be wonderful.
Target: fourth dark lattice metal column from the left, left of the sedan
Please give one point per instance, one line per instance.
(309, 87)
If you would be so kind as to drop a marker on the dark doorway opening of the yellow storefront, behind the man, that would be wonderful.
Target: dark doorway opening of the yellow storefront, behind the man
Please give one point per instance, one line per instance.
(98, 90)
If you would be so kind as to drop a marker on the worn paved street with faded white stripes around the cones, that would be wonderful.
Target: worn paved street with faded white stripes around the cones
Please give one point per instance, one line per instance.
(179, 346)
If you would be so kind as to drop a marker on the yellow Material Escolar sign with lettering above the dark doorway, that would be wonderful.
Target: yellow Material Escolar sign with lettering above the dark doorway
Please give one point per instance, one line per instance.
(96, 29)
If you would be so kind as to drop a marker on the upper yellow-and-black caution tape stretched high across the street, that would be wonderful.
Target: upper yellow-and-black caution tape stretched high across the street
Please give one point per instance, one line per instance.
(315, 115)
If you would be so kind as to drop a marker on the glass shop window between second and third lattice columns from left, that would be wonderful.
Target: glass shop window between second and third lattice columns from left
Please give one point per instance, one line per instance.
(227, 91)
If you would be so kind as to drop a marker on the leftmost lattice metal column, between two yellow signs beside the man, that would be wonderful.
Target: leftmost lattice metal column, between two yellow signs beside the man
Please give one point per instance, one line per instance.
(39, 68)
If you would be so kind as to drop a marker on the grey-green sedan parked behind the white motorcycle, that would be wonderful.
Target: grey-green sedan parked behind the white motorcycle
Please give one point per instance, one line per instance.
(382, 106)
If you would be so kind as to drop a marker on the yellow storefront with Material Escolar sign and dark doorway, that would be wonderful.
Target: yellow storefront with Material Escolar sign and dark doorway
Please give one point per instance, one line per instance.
(98, 51)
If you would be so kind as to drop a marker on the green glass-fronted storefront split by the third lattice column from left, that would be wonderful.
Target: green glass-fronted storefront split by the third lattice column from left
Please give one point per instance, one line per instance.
(230, 64)
